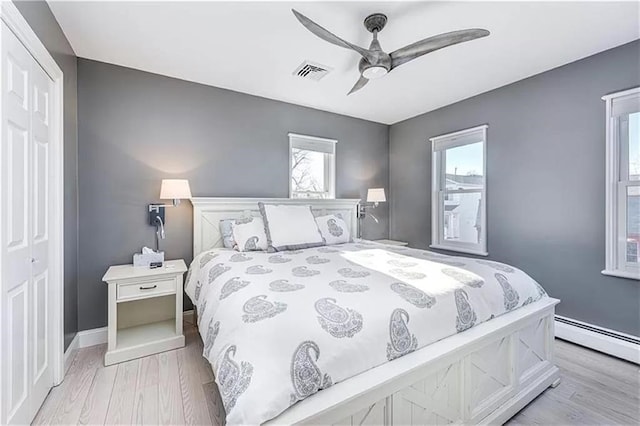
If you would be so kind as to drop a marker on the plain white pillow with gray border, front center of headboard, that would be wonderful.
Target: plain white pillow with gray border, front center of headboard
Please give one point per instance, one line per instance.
(290, 227)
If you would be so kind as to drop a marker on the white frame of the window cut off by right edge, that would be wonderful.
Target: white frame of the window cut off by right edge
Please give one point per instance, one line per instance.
(616, 265)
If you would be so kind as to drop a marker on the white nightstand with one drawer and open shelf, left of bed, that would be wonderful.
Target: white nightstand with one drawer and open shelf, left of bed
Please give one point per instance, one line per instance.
(145, 310)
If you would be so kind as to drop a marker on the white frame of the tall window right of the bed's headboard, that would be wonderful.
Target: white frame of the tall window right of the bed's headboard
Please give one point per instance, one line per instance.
(439, 144)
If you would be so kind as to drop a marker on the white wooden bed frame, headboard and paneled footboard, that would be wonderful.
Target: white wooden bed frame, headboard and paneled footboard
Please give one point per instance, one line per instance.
(484, 375)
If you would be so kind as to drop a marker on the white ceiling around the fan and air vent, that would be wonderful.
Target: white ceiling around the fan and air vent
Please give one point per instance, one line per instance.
(253, 47)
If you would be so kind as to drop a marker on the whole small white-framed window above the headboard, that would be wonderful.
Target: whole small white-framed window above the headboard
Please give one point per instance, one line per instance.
(312, 167)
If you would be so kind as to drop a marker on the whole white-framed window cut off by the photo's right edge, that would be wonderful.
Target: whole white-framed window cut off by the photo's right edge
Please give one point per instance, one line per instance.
(623, 184)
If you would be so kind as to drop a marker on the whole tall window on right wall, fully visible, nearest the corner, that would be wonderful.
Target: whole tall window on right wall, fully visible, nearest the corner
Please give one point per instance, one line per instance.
(458, 208)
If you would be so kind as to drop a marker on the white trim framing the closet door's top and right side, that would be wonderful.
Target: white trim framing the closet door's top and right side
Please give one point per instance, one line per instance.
(10, 15)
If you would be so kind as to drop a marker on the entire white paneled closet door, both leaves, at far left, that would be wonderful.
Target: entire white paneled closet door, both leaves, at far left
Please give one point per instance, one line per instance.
(25, 164)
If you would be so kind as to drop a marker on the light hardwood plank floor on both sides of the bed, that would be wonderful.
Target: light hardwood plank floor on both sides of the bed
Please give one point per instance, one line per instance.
(177, 387)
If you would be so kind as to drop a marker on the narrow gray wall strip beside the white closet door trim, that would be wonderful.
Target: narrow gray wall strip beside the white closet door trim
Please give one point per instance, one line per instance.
(44, 24)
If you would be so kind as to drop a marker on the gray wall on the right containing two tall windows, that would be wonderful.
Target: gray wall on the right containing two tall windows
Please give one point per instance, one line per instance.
(546, 149)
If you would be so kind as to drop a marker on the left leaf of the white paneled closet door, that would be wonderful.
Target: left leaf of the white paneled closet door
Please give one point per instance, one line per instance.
(15, 190)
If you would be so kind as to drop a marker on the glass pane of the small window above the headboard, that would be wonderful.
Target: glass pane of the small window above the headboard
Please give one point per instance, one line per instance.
(308, 174)
